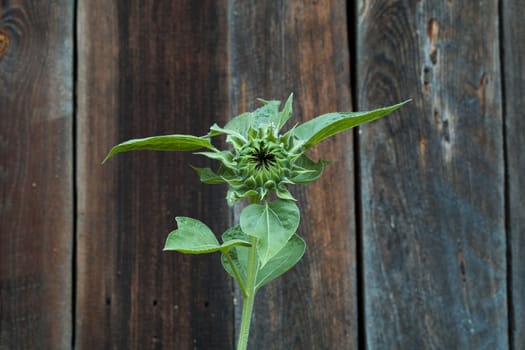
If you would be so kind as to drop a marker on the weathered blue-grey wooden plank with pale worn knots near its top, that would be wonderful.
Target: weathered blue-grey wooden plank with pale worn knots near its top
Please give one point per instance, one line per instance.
(432, 176)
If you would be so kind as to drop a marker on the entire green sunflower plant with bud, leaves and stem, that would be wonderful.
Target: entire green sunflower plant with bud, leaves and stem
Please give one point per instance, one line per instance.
(260, 161)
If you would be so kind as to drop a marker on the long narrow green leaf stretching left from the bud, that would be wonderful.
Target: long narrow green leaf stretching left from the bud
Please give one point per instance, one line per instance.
(162, 143)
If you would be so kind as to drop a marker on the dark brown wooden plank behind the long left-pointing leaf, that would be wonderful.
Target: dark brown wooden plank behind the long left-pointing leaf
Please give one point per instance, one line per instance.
(147, 68)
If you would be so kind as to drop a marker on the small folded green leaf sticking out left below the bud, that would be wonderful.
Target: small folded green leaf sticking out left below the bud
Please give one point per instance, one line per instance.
(192, 237)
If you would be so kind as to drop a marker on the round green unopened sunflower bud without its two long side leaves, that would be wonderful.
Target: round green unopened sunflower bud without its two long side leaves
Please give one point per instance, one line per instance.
(261, 161)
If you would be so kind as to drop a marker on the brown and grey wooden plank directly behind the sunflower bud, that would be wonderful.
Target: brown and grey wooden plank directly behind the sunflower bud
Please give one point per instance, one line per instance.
(301, 47)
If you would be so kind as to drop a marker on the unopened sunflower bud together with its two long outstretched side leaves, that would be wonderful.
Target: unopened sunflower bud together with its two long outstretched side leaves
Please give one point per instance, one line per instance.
(261, 160)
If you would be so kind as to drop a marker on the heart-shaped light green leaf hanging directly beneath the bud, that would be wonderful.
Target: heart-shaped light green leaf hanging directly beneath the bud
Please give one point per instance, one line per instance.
(272, 223)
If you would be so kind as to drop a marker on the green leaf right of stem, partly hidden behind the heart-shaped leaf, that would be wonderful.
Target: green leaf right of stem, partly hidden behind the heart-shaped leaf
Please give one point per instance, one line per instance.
(282, 262)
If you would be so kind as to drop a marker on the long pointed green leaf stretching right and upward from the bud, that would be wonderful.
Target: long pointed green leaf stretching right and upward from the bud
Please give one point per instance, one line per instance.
(318, 129)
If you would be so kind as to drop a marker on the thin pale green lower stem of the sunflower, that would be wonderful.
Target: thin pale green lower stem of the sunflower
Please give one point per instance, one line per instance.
(247, 305)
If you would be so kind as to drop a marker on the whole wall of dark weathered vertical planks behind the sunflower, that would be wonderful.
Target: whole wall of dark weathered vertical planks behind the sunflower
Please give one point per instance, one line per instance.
(415, 233)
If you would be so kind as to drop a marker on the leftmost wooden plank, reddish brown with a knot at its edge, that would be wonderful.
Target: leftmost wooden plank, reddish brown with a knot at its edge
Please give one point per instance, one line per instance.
(36, 192)
